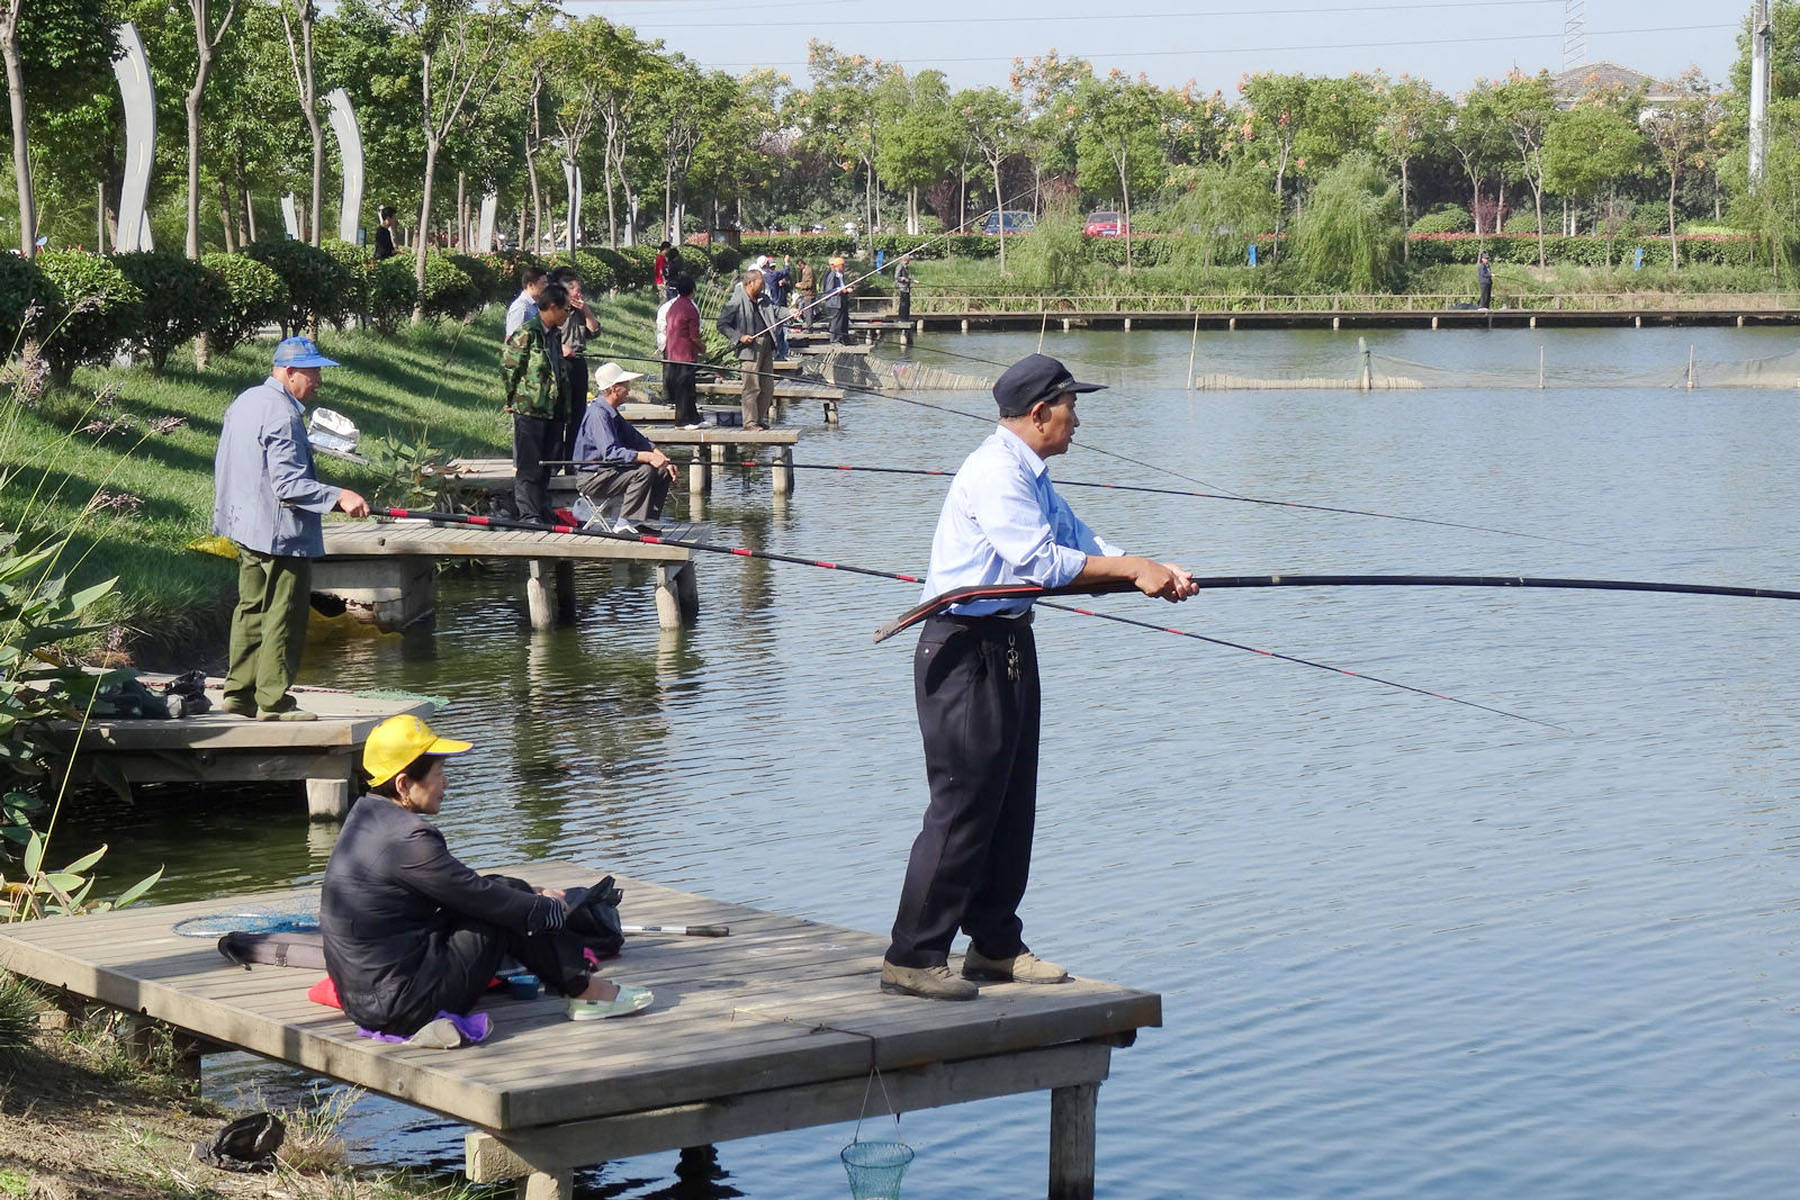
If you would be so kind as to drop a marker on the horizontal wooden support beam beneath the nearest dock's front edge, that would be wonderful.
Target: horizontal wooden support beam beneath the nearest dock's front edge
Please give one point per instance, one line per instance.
(490, 1160)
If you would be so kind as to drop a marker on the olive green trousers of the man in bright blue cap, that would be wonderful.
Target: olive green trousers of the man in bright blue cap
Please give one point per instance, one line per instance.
(269, 629)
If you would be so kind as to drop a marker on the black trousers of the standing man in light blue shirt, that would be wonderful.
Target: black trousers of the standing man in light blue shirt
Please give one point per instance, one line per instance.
(975, 685)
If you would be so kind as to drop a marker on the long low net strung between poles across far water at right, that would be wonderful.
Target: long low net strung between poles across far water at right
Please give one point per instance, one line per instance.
(1372, 372)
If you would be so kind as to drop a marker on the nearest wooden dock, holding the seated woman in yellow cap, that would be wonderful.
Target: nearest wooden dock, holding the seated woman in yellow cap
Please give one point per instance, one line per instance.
(775, 1028)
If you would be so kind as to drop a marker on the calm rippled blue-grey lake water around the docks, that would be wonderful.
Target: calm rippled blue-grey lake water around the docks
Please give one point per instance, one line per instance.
(1407, 949)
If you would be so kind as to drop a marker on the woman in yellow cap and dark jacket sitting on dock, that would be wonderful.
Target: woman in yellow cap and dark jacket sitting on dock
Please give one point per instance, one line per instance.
(413, 935)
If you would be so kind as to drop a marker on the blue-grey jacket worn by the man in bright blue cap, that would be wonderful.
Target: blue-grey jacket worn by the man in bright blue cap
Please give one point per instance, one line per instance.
(265, 492)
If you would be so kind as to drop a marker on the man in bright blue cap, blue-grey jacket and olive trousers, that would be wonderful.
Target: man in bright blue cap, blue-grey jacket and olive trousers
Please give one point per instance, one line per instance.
(267, 499)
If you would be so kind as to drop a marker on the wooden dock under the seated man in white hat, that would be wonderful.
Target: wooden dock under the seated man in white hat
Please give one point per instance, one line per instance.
(384, 571)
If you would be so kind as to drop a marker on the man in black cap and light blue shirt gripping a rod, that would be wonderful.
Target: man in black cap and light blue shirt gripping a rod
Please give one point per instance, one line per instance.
(975, 685)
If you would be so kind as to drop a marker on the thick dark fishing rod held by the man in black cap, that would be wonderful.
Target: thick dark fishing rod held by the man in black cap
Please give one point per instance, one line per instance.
(1030, 591)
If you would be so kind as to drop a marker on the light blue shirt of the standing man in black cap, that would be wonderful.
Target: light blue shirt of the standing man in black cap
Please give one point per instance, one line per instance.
(1003, 523)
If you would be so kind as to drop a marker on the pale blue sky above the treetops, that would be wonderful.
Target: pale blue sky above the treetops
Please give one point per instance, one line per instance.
(1210, 42)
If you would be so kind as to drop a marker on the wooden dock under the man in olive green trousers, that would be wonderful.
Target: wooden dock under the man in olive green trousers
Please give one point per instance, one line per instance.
(217, 748)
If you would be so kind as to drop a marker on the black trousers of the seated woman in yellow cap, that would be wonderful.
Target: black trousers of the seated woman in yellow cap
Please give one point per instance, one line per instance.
(460, 962)
